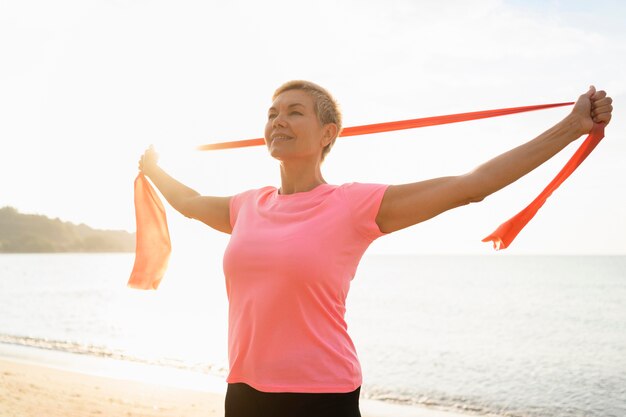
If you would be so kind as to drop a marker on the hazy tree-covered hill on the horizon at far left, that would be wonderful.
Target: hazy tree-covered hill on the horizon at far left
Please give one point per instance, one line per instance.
(26, 233)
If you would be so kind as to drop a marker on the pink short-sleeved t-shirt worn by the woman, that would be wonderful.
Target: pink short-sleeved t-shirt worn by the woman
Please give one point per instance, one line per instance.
(288, 268)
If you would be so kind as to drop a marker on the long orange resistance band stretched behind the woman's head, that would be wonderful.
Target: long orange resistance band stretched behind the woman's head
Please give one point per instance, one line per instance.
(153, 242)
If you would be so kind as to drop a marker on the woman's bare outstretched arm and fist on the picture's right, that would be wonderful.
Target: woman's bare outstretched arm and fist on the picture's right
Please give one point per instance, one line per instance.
(408, 204)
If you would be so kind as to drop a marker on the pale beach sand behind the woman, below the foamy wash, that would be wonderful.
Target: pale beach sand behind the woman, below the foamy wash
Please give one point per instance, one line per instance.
(33, 390)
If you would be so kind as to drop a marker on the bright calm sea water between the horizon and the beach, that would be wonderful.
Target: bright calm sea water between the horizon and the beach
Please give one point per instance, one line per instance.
(524, 336)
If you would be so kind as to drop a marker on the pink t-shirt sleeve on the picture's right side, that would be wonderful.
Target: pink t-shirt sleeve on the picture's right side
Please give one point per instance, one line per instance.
(364, 201)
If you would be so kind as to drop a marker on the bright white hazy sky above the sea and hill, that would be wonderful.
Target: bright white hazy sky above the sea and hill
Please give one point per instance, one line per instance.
(86, 86)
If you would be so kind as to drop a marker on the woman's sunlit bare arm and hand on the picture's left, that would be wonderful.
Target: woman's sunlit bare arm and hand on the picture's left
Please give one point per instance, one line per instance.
(213, 211)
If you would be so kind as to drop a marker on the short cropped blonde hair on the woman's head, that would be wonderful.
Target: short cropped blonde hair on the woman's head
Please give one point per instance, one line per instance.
(326, 107)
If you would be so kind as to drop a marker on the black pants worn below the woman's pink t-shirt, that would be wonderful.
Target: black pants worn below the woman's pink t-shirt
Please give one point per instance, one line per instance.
(244, 401)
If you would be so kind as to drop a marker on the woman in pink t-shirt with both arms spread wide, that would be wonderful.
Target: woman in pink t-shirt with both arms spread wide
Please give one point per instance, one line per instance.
(294, 250)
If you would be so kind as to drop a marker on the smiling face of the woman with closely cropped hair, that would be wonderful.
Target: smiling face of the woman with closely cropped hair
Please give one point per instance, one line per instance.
(293, 130)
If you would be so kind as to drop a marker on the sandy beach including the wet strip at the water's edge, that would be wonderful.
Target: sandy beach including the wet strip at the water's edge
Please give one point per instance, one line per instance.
(58, 384)
